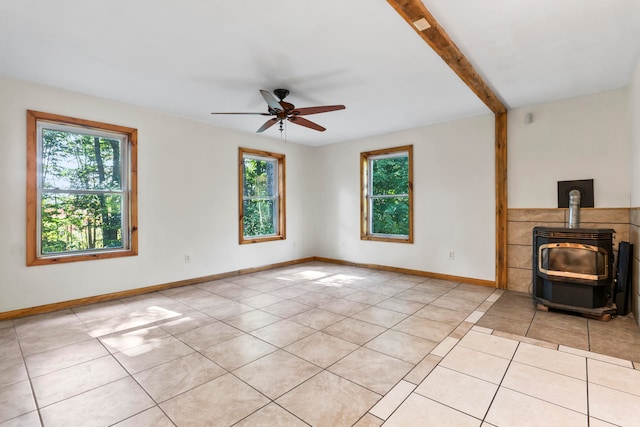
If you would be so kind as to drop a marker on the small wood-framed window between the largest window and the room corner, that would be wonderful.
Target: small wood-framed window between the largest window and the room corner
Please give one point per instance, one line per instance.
(262, 196)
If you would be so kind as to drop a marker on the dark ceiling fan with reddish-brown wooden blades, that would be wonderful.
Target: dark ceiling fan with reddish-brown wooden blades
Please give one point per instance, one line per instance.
(282, 111)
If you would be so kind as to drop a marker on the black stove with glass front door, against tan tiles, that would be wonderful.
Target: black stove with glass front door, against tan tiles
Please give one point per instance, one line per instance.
(573, 266)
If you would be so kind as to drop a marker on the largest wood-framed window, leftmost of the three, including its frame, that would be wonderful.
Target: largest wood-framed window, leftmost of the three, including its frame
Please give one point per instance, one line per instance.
(81, 190)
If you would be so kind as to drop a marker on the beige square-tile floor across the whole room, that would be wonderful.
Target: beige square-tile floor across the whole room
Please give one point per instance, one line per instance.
(322, 345)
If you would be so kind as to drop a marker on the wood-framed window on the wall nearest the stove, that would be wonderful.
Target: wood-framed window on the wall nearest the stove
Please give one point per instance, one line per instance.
(387, 195)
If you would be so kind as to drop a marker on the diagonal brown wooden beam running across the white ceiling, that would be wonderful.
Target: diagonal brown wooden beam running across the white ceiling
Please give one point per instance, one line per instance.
(423, 22)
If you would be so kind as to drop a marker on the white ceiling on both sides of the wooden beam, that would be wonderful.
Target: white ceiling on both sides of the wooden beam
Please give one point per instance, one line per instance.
(193, 57)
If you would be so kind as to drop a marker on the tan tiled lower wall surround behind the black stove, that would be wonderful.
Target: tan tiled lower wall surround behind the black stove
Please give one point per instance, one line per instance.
(520, 230)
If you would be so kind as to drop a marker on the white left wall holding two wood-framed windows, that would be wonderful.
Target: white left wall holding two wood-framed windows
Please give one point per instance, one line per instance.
(187, 177)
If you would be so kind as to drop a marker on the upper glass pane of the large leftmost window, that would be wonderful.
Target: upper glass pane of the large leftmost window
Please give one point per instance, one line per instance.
(76, 161)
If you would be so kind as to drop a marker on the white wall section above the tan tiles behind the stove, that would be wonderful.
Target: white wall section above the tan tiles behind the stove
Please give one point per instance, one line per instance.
(578, 138)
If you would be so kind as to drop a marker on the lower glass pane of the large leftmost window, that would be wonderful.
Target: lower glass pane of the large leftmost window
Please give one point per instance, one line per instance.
(73, 222)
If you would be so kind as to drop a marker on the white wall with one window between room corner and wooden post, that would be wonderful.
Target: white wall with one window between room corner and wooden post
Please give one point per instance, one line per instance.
(454, 200)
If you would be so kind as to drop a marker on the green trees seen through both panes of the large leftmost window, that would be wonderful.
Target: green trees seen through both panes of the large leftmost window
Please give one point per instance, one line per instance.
(81, 204)
